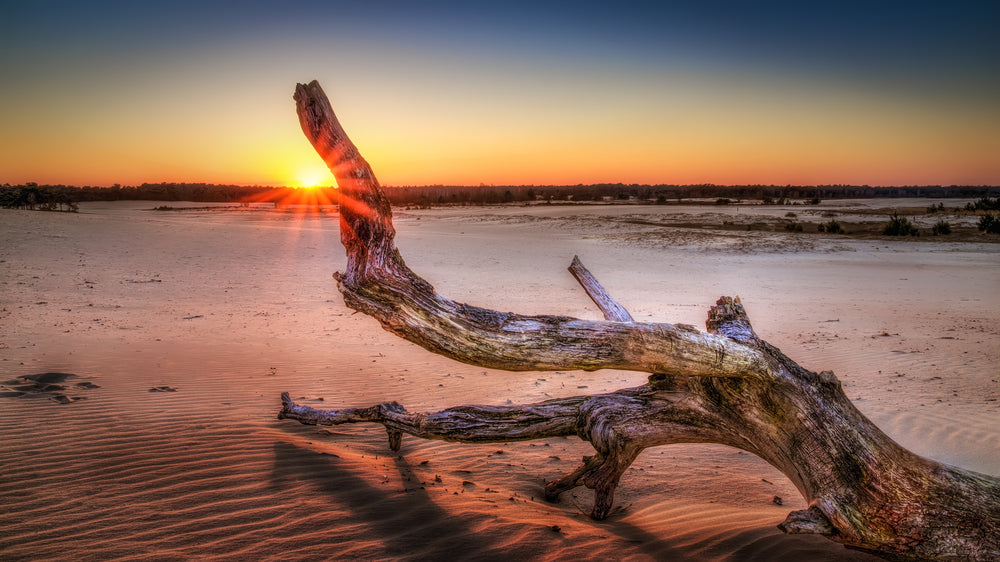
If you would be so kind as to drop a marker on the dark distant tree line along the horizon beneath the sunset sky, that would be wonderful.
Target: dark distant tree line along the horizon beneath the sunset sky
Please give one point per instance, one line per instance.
(66, 198)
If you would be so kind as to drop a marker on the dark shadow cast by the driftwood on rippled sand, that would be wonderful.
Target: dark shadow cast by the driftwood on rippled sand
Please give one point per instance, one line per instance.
(411, 525)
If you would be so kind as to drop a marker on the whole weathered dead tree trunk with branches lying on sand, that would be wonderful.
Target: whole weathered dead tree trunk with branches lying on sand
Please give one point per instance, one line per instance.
(724, 386)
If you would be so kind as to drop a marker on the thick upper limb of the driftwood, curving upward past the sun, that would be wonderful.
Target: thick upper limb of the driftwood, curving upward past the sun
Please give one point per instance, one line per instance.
(378, 283)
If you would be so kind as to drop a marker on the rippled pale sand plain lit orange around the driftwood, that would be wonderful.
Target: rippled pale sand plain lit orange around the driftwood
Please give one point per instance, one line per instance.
(182, 328)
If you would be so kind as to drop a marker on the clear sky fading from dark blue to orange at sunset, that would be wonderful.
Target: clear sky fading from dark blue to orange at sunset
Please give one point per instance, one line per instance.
(459, 92)
